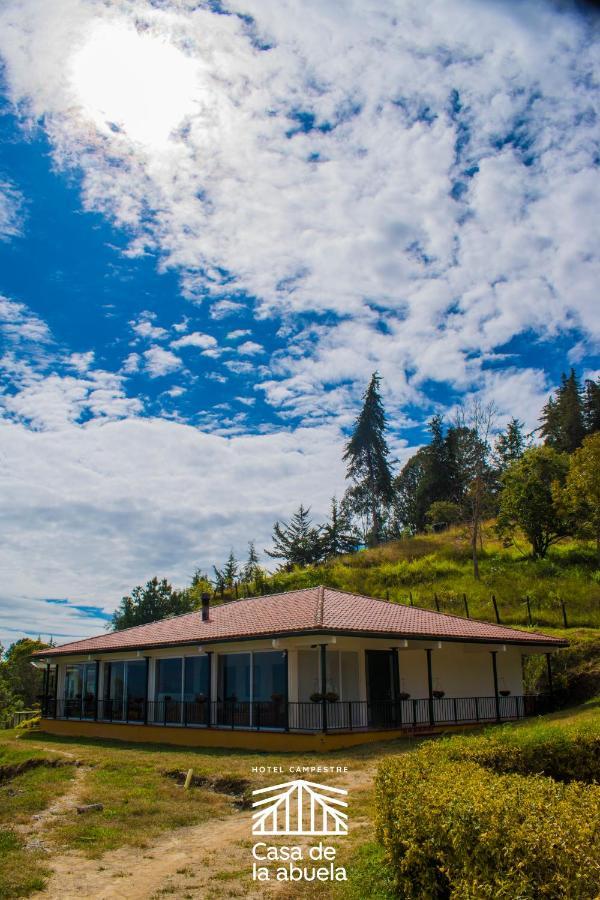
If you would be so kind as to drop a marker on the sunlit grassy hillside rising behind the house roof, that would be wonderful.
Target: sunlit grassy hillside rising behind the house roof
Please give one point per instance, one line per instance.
(423, 568)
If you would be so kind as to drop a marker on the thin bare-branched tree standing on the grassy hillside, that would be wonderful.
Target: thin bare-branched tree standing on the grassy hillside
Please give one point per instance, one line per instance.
(474, 424)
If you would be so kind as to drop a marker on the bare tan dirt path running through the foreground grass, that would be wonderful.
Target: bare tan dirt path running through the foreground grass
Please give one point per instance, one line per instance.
(210, 860)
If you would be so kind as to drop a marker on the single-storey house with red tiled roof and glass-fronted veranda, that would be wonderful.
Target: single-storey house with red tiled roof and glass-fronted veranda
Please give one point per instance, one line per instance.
(309, 669)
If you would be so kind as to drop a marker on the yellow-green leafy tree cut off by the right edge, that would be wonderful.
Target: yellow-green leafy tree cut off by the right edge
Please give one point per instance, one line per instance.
(579, 498)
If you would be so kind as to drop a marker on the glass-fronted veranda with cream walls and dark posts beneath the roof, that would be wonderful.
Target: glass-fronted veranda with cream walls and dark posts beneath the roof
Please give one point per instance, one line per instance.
(322, 683)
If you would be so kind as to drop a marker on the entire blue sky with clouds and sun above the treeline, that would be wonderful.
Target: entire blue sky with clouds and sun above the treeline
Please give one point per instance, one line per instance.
(217, 219)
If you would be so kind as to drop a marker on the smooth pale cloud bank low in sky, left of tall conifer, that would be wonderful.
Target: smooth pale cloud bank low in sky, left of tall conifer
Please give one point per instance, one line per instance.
(104, 492)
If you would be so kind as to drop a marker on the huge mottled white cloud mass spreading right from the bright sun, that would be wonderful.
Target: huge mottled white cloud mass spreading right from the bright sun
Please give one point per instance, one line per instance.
(432, 163)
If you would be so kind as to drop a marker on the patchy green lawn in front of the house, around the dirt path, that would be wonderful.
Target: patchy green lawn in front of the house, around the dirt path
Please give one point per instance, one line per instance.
(142, 807)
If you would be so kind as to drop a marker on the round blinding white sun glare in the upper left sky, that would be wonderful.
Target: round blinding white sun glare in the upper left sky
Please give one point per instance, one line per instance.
(135, 83)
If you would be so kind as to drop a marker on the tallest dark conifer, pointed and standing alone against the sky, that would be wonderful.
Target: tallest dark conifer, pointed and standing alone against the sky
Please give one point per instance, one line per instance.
(367, 456)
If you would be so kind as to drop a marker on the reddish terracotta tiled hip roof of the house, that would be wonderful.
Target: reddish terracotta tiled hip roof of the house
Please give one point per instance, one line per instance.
(304, 611)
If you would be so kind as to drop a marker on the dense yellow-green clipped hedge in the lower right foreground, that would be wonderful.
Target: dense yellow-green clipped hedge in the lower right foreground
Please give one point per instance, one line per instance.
(457, 830)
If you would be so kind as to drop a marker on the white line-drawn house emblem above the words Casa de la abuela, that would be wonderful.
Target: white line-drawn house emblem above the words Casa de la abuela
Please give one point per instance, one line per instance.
(300, 807)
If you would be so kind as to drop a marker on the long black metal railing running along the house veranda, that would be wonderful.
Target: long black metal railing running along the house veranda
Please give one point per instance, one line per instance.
(341, 715)
